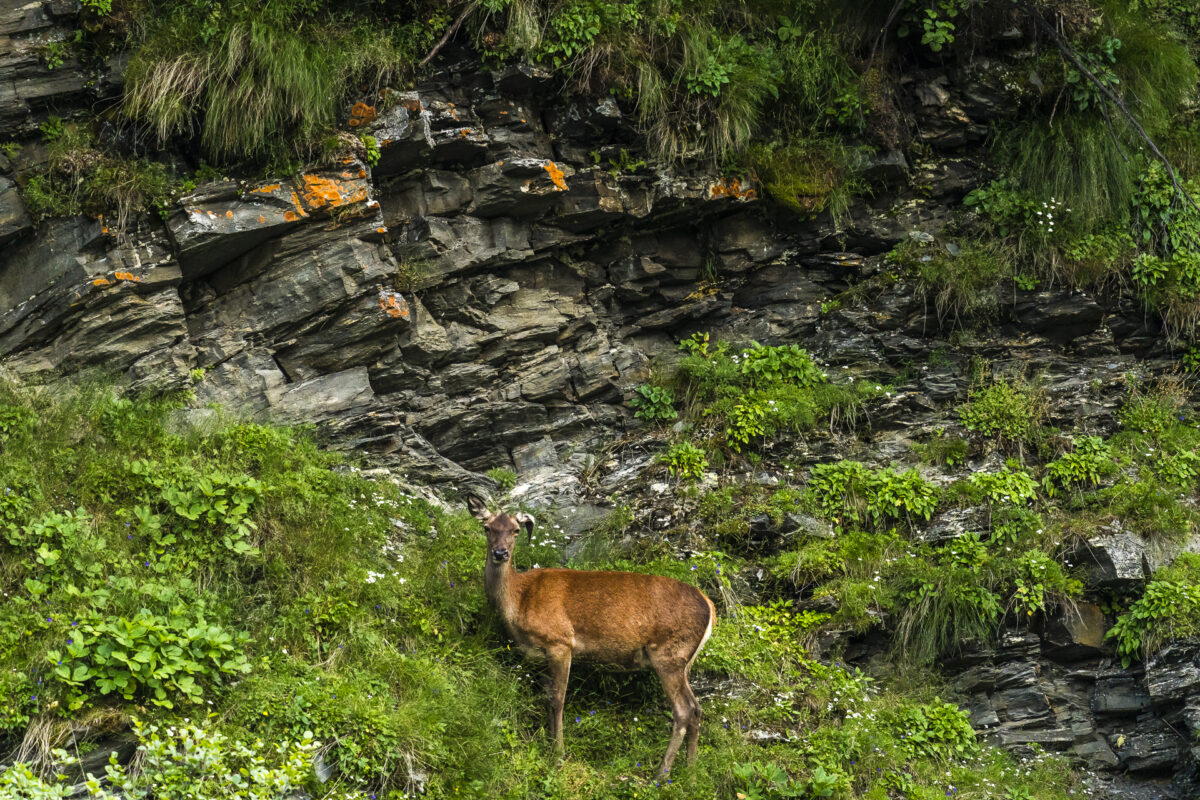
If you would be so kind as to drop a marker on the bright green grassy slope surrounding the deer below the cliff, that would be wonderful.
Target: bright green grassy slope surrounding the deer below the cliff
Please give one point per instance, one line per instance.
(253, 582)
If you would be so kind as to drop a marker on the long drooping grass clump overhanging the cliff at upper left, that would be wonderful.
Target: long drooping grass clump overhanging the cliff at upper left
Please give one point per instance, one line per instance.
(265, 83)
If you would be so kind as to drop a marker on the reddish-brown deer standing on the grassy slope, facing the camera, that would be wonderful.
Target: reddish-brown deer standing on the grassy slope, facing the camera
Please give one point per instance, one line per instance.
(617, 619)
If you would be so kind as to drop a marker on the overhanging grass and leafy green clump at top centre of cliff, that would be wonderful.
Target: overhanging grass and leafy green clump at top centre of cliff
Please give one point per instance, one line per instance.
(707, 79)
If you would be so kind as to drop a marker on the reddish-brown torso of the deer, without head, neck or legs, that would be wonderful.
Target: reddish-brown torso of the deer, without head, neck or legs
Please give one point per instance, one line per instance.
(614, 618)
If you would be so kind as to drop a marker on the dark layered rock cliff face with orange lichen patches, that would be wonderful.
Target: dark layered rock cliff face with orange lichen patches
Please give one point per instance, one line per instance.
(488, 294)
